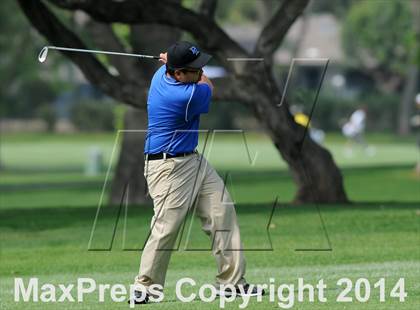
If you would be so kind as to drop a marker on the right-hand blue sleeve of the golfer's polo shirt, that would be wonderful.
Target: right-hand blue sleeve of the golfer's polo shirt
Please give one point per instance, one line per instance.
(199, 101)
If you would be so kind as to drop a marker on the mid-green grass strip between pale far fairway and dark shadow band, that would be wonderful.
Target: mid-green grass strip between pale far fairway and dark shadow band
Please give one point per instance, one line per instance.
(386, 184)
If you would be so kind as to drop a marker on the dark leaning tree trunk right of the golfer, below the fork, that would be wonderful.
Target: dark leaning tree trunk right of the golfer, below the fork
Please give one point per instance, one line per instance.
(317, 177)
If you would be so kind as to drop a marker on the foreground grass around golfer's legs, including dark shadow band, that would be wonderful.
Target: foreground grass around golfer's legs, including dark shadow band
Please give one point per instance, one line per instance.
(367, 241)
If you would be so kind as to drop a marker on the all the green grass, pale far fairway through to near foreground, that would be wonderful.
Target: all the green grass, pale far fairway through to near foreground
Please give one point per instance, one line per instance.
(48, 205)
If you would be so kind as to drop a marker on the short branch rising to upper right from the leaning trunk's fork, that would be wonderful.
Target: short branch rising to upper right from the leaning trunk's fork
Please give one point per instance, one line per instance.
(275, 30)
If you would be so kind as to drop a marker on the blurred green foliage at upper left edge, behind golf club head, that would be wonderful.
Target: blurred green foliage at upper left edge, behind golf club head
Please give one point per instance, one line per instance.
(26, 85)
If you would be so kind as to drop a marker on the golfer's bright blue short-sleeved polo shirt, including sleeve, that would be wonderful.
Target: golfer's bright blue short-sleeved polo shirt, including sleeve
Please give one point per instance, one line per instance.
(173, 110)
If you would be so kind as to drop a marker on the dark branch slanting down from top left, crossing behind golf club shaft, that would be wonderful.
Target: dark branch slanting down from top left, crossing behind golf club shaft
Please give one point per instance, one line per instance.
(58, 34)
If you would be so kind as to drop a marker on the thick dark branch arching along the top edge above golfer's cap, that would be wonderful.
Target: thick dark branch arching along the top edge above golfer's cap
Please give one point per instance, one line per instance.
(205, 30)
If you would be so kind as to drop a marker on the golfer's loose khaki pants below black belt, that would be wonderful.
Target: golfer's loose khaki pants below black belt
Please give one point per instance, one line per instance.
(177, 185)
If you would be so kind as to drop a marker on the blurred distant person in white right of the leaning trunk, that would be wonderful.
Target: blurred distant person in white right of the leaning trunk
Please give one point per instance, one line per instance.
(354, 131)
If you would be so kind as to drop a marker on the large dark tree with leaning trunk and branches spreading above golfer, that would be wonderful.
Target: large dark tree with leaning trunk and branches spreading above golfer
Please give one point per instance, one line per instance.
(317, 177)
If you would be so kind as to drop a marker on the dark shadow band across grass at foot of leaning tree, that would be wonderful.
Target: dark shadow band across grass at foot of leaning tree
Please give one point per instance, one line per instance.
(38, 219)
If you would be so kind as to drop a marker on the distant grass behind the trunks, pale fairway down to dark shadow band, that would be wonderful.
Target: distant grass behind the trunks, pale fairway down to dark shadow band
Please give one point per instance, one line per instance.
(47, 170)
